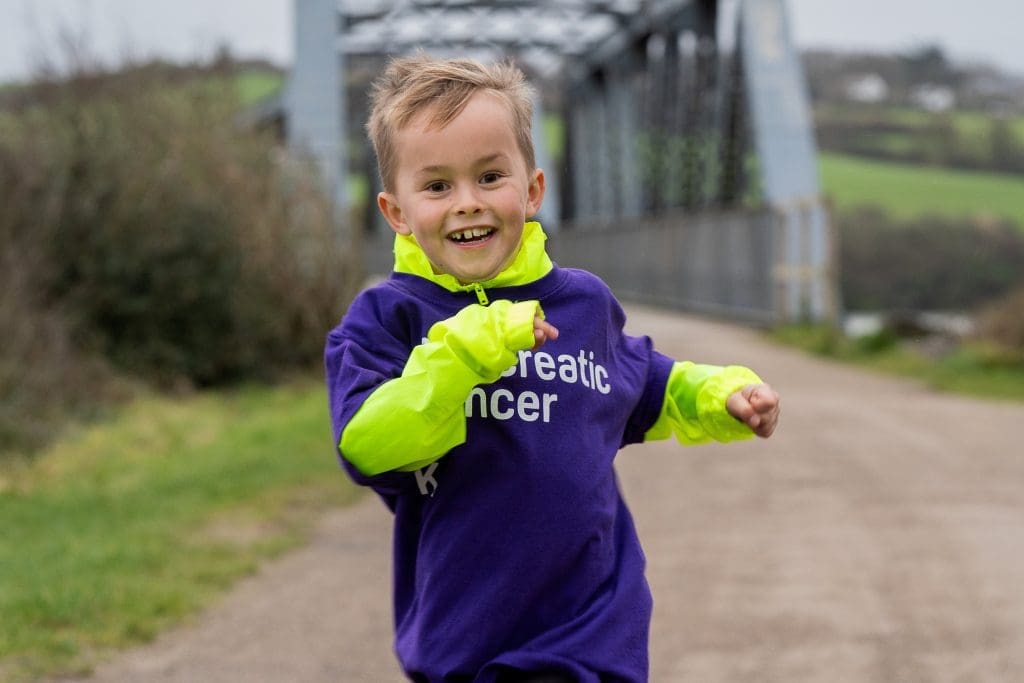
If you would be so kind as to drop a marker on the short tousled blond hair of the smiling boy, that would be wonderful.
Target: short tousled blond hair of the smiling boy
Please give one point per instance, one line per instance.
(410, 86)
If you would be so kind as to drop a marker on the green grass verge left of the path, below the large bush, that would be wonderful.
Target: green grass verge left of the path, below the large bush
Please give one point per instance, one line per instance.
(124, 529)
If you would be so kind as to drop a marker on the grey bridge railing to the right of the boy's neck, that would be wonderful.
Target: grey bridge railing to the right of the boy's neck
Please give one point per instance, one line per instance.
(738, 265)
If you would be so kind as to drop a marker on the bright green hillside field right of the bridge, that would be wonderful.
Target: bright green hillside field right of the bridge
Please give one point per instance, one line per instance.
(907, 191)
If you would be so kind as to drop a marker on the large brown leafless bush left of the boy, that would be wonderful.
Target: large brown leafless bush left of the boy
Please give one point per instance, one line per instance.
(152, 233)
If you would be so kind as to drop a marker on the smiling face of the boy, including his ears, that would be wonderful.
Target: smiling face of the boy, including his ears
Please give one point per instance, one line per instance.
(463, 191)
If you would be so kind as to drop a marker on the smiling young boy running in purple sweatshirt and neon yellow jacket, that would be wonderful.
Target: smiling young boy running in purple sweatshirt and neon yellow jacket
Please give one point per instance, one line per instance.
(488, 432)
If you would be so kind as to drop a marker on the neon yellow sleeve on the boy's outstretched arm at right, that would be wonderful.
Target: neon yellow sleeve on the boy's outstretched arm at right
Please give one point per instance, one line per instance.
(695, 405)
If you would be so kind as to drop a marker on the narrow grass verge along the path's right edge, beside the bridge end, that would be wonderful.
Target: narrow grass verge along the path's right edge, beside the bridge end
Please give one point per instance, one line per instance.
(969, 369)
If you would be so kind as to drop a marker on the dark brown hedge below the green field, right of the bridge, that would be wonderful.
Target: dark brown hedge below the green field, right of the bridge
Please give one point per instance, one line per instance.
(929, 264)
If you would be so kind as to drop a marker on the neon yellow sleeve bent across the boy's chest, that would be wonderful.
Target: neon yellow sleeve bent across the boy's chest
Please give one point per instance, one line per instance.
(413, 420)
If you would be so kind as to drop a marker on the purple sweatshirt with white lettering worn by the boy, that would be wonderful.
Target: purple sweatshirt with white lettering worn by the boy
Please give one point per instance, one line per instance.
(517, 548)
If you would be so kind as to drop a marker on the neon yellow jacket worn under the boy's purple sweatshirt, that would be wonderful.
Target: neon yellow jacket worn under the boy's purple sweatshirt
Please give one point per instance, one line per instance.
(413, 420)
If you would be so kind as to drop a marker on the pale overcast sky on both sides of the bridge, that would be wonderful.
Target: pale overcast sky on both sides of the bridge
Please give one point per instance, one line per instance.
(977, 30)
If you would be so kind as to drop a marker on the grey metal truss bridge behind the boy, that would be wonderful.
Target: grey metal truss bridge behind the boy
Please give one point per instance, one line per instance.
(676, 138)
